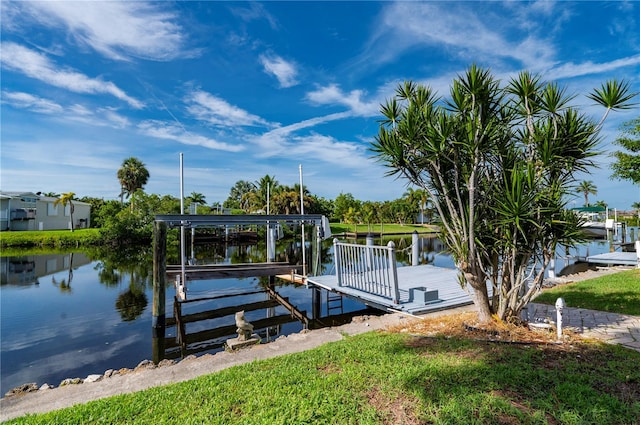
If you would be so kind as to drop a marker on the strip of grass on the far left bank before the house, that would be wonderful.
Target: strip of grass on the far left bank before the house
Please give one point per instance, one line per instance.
(49, 238)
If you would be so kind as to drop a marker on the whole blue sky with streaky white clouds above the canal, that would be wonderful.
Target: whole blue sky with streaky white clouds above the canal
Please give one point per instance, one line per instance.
(248, 89)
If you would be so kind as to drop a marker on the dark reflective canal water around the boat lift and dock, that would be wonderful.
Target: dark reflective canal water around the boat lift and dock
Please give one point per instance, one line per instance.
(72, 314)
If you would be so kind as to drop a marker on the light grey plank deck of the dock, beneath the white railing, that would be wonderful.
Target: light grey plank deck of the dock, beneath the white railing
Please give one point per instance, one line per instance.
(445, 281)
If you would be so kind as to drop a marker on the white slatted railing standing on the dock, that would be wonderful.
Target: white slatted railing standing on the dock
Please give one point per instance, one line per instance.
(367, 268)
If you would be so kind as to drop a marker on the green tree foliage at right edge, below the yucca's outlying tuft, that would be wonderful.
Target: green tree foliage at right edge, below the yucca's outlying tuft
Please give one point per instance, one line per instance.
(627, 161)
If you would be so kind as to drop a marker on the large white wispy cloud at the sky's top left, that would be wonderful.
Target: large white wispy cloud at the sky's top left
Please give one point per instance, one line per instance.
(116, 29)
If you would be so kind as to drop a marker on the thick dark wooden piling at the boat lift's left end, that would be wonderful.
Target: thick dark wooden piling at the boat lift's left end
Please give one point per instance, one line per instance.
(159, 278)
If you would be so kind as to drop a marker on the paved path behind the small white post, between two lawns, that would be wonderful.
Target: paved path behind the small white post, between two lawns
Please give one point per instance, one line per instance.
(608, 327)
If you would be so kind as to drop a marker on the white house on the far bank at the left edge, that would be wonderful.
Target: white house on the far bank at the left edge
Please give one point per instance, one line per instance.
(31, 211)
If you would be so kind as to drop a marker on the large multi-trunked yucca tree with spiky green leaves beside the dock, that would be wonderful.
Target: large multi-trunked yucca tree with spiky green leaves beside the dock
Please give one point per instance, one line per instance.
(497, 163)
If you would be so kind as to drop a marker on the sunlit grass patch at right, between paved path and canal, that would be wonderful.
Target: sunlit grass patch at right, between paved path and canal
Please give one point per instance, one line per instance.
(616, 293)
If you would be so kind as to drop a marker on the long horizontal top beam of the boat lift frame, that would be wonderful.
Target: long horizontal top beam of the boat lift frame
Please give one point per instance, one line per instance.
(199, 220)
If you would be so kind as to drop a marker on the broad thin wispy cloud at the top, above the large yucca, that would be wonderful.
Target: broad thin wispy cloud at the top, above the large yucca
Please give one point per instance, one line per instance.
(456, 29)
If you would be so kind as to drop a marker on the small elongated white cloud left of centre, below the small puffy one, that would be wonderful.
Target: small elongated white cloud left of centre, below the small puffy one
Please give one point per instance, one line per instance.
(216, 111)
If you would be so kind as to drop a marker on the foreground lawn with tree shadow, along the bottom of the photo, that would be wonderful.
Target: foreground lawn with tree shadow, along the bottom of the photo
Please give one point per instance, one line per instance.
(393, 378)
